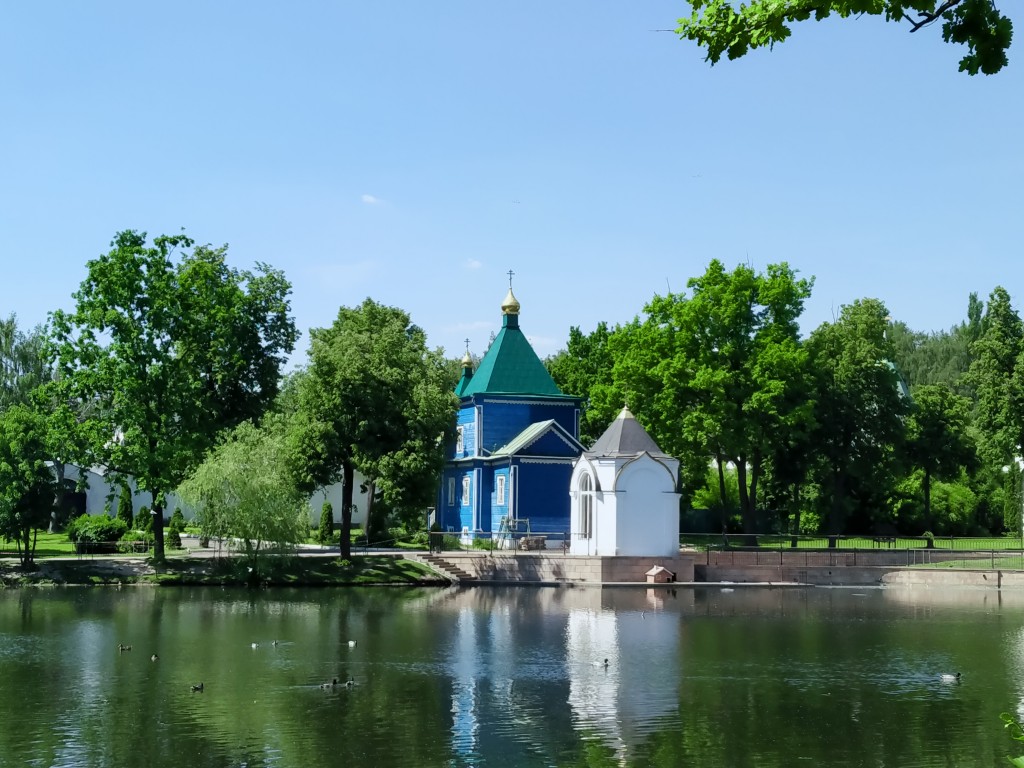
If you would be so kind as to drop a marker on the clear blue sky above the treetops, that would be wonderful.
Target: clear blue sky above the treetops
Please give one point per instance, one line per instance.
(415, 152)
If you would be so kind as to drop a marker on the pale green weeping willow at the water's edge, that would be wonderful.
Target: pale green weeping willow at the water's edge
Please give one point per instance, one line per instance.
(244, 492)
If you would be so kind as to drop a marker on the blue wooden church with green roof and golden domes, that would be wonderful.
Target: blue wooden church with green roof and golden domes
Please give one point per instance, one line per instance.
(518, 437)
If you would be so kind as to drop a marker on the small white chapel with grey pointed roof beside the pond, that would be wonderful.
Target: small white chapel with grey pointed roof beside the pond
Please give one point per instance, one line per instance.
(624, 495)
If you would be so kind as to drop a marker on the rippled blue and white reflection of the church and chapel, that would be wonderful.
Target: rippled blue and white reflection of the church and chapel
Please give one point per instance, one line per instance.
(533, 664)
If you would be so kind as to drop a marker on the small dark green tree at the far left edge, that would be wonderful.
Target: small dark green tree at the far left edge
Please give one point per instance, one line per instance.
(27, 483)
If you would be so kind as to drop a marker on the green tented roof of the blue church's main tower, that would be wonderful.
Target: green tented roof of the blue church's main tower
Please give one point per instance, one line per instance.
(511, 366)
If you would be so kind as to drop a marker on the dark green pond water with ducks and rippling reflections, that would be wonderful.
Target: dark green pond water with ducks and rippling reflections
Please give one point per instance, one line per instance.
(509, 677)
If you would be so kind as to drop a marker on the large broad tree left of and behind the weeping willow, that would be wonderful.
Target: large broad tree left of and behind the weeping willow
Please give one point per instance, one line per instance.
(173, 354)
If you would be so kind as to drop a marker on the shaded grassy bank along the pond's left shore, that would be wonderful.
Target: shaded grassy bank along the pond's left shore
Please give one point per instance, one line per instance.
(274, 572)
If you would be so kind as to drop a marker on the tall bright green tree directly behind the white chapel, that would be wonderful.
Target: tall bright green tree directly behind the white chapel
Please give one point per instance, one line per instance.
(729, 371)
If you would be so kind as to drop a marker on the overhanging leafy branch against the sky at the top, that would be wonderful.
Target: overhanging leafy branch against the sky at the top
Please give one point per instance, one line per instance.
(720, 28)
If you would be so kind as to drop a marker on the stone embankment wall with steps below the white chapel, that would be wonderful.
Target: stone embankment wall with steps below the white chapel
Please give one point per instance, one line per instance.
(539, 568)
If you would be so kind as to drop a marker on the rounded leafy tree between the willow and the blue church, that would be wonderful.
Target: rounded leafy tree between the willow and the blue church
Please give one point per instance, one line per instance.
(374, 400)
